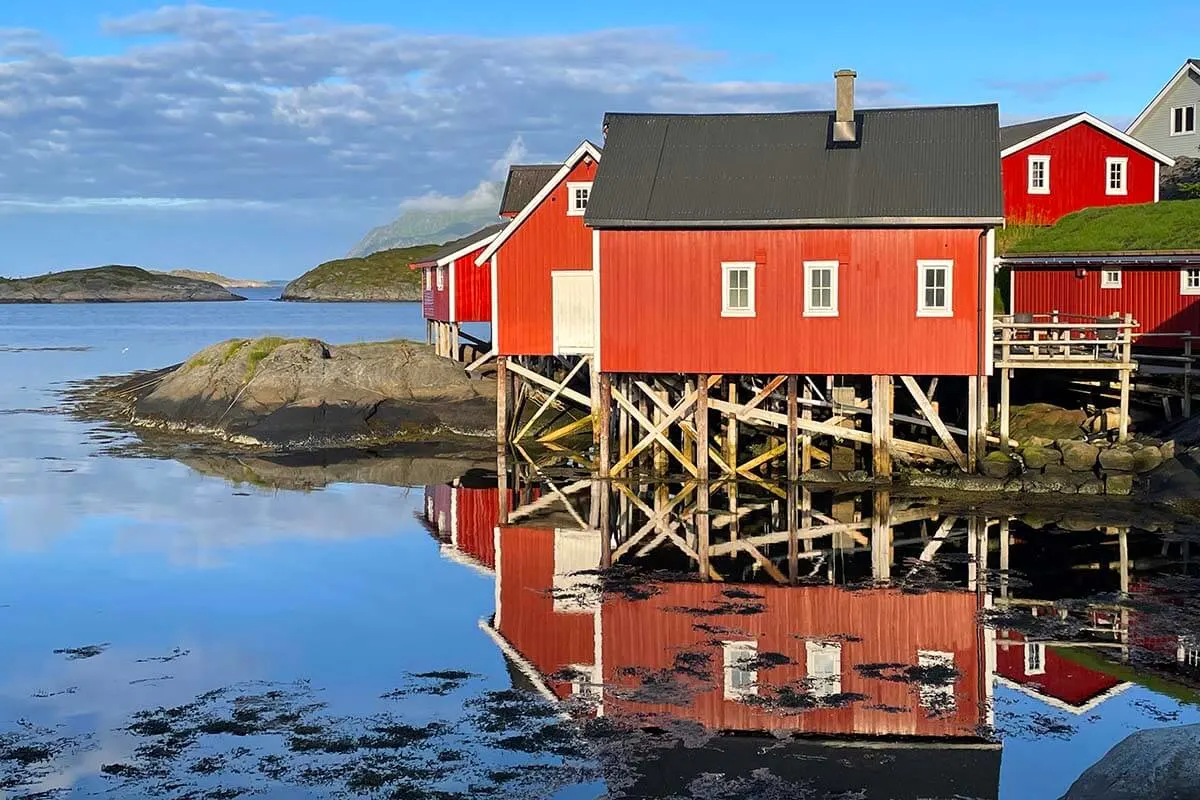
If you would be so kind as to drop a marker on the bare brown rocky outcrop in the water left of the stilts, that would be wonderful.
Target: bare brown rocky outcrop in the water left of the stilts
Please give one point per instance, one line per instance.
(304, 394)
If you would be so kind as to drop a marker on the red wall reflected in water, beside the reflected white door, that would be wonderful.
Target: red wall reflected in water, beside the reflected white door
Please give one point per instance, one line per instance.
(548, 640)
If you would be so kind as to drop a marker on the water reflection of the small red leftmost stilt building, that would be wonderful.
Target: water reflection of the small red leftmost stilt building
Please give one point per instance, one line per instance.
(464, 520)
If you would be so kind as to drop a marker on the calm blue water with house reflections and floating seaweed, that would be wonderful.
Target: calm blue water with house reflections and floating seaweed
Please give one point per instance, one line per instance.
(170, 633)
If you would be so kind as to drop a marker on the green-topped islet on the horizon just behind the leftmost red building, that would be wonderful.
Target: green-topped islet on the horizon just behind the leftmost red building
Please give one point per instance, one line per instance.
(379, 278)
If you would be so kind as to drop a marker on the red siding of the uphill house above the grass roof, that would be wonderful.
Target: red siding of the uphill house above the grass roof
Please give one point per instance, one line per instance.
(1078, 177)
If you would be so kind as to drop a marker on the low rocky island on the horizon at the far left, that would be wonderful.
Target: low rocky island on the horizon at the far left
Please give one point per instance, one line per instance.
(111, 285)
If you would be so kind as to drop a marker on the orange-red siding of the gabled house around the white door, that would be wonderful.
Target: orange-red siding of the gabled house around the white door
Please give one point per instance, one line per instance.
(548, 240)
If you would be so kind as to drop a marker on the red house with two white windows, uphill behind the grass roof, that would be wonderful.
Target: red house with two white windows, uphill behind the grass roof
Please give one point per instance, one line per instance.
(1061, 165)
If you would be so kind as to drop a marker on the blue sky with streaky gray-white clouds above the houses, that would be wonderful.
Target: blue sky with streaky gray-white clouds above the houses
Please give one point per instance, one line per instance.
(262, 137)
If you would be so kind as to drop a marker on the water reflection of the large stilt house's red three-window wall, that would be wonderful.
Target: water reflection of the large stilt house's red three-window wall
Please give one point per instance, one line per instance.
(875, 628)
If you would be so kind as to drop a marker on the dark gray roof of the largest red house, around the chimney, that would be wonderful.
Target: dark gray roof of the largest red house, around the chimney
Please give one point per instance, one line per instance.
(784, 170)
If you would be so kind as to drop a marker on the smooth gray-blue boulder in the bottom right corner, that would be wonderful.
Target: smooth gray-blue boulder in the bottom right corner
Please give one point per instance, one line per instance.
(1145, 766)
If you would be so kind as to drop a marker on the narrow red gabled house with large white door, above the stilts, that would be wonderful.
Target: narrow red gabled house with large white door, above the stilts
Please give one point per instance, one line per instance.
(542, 267)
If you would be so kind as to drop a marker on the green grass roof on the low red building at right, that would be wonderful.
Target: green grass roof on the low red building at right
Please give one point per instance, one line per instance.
(1169, 226)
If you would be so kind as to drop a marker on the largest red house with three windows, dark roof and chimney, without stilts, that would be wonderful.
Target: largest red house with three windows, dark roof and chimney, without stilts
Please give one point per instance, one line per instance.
(855, 243)
